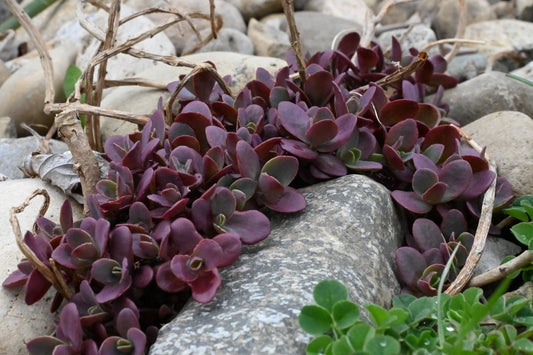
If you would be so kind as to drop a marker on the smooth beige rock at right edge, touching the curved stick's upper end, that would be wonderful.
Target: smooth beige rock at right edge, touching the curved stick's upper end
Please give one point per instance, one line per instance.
(508, 137)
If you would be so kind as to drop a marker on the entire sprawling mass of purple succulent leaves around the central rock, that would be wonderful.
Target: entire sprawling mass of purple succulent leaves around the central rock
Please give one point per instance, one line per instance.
(182, 198)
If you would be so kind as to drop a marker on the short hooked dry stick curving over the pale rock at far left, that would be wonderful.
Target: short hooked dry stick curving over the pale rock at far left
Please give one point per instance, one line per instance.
(55, 278)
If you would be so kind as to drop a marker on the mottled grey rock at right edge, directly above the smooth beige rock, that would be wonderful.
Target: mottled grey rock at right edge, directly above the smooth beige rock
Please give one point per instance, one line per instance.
(486, 93)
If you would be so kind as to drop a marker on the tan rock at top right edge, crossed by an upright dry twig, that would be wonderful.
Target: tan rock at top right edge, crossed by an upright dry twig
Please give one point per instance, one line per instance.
(447, 14)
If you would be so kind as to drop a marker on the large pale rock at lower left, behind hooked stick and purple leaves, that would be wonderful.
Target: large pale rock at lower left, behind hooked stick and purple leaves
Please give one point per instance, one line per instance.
(20, 322)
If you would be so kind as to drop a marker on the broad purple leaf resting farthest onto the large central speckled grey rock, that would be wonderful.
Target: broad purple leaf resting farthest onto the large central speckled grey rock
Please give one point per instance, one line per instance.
(250, 226)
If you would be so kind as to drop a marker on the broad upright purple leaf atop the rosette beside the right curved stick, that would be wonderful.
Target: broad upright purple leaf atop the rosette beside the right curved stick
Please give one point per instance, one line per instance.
(456, 175)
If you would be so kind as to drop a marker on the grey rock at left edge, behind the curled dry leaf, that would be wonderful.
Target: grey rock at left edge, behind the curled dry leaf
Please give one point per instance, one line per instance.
(14, 150)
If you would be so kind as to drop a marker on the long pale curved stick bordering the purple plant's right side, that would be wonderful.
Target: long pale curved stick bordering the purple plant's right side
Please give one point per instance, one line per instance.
(482, 229)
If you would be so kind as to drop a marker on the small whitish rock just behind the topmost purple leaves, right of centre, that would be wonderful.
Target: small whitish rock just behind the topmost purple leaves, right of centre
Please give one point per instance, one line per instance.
(418, 37)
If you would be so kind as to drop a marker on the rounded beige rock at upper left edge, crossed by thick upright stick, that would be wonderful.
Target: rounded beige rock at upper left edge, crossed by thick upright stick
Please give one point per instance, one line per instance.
(22, 94)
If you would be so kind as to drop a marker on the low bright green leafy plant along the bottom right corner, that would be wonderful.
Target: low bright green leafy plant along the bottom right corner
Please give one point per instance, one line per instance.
(499, 326)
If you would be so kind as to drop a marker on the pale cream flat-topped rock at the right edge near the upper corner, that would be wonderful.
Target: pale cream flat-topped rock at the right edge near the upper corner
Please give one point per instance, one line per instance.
(501, 35)
